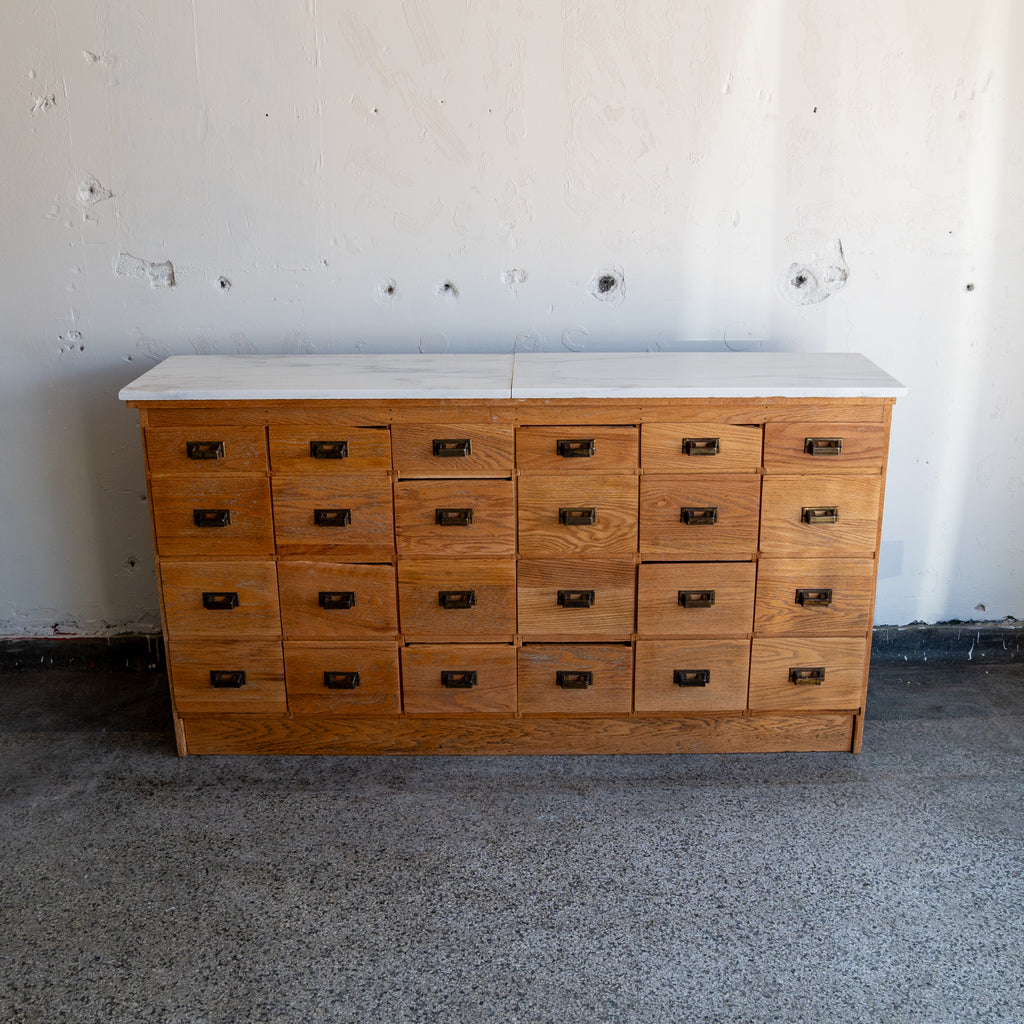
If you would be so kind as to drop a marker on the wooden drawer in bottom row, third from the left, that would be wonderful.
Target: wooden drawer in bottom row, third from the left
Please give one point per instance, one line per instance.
(459, 679)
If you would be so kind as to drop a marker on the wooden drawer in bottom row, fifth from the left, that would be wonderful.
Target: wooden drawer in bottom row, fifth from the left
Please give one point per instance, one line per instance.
(682, 677)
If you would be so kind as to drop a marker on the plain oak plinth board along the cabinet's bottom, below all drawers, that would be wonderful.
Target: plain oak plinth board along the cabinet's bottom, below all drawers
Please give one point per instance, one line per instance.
(712, 735)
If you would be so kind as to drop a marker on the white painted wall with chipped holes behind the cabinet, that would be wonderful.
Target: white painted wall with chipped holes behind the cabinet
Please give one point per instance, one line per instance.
(312, 151)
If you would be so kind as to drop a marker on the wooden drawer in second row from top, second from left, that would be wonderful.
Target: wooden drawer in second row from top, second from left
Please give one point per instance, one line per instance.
(350, 519)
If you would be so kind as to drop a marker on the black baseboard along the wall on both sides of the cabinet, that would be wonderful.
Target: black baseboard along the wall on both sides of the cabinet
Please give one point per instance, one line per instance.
(946, 644)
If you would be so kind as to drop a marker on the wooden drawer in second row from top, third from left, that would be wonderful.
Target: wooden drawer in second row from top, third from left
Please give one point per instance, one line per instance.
(447, 519)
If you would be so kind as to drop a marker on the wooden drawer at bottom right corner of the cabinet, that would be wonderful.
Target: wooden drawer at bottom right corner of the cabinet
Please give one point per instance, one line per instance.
(807, 675)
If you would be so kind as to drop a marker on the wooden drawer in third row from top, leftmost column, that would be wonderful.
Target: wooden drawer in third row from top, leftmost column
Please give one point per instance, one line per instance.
(221, 600)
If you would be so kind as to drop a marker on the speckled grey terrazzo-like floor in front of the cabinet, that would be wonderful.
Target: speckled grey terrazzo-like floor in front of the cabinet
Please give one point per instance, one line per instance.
(137, 886)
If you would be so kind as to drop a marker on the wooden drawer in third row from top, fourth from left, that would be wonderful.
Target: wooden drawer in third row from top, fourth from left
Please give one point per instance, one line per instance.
(583, 600)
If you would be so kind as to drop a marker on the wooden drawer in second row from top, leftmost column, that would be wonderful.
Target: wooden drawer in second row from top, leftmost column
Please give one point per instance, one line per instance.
(228, 517)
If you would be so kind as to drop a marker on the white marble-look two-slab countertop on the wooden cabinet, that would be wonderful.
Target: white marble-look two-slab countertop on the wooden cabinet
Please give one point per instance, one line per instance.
(527, 375)
